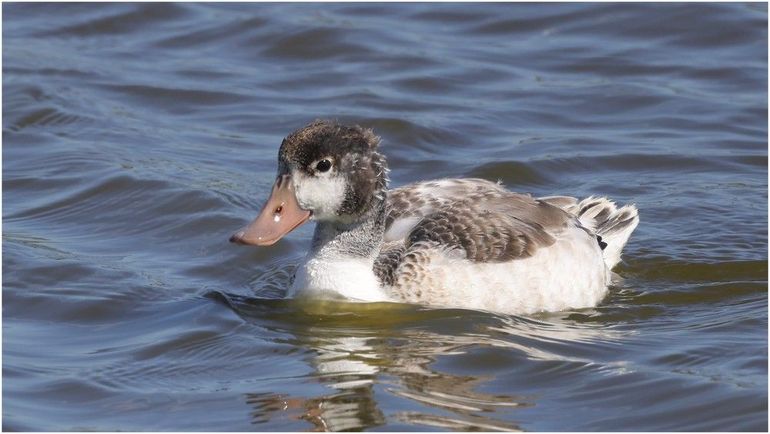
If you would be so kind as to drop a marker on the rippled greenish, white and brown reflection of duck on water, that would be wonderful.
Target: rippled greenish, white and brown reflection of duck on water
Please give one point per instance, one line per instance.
(363, 354)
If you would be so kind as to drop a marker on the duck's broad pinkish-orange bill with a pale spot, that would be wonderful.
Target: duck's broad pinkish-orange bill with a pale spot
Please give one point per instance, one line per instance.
(280, 215)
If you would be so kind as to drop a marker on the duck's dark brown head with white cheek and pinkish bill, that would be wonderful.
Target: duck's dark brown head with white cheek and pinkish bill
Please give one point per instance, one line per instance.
(327, 172)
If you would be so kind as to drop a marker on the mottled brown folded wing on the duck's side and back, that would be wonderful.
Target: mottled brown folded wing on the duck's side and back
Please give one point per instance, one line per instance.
(479, 218)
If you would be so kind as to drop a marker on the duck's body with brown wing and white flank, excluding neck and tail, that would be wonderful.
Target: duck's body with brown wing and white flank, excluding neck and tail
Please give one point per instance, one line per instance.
(471, 243)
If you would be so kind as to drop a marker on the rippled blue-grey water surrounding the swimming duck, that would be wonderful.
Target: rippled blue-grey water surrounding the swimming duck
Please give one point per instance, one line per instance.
(137, 137)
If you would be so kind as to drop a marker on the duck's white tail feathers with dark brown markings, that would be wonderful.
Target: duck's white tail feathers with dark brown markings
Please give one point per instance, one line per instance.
(612, 225)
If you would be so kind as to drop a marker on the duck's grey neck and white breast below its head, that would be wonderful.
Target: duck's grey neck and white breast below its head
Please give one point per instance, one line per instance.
(341, 259)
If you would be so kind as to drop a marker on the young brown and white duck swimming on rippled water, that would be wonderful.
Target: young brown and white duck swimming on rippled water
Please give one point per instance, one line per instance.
(463, 243)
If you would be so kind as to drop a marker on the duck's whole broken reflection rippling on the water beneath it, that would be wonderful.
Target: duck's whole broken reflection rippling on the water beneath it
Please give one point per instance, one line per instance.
(366, 357)
